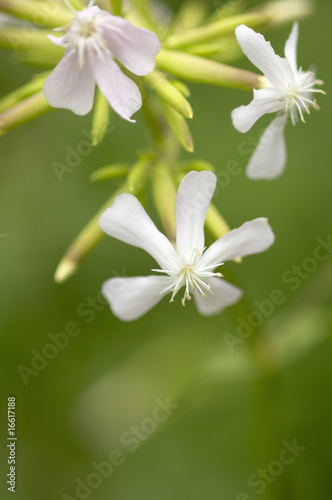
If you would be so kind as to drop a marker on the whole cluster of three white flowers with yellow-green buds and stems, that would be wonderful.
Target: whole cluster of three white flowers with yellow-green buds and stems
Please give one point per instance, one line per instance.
(108, 51)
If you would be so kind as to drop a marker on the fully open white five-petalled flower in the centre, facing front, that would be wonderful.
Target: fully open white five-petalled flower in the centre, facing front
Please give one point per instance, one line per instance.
(189, 265)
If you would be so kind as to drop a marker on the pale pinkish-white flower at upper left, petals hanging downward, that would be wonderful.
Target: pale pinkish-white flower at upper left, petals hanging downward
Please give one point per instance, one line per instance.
(94, 38)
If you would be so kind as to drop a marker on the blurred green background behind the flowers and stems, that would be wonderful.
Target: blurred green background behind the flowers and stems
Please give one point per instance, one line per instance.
(231, 420)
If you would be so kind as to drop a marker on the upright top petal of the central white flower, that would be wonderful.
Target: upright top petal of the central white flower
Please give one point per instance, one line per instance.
(192, 203)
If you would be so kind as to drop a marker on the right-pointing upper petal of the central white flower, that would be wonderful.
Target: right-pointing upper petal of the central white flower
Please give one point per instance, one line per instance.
(252, 237)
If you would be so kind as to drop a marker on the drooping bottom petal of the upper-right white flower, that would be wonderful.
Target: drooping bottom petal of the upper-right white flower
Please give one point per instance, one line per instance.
(269, 158)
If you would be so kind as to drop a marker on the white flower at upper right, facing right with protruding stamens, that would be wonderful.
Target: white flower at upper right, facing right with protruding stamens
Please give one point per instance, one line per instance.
(286, 90)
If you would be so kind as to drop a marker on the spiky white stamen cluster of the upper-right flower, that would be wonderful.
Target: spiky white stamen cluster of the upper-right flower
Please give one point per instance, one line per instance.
(299, 97)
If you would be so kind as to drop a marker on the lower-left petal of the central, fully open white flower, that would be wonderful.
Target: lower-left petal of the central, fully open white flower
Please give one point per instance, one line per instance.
(130, 298)
